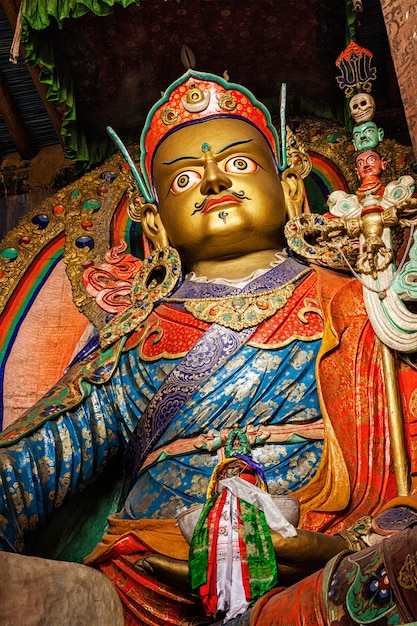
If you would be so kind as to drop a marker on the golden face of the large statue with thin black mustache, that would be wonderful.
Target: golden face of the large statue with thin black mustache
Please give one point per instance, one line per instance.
(219, 193)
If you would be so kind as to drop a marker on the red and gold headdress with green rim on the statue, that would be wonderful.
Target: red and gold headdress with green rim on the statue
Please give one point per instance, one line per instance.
(196, 97)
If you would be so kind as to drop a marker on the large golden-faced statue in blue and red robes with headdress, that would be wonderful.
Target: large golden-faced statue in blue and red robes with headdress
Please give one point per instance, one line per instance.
(247, 389)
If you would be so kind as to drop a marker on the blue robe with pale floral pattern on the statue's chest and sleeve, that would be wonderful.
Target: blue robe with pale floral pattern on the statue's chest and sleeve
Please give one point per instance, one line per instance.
(258, 387)
